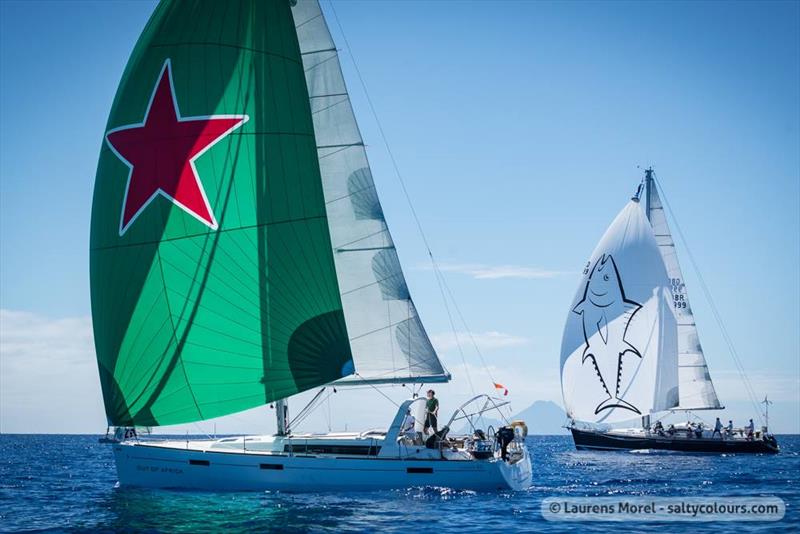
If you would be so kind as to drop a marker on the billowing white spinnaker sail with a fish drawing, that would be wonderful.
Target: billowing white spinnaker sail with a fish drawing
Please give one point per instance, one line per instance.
(619, 351)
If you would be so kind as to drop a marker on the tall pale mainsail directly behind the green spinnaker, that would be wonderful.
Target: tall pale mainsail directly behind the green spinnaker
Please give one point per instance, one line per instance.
(388, 342)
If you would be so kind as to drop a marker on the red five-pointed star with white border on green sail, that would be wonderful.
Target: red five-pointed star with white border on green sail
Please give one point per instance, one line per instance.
(161, 152)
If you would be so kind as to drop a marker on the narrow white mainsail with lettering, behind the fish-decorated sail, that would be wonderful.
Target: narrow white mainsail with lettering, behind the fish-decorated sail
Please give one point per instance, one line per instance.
(696, 388)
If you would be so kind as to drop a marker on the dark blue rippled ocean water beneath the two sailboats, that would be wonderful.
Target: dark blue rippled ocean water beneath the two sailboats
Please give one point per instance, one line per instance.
(68, 483)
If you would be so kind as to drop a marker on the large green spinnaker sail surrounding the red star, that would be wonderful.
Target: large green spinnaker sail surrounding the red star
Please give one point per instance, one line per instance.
(191, 322)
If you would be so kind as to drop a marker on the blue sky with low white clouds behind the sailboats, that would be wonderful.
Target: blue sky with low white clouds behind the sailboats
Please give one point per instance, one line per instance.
(520, 130)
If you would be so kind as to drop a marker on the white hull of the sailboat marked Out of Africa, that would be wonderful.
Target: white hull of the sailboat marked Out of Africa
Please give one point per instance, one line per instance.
(155, 466)
